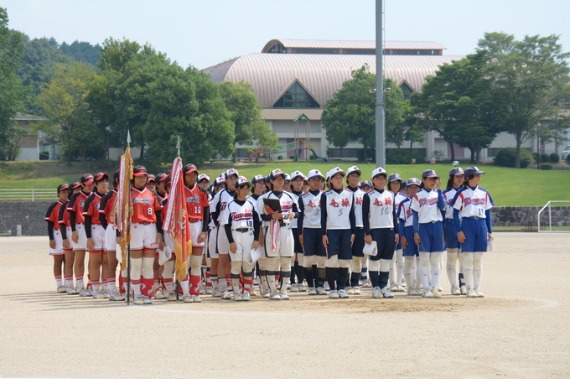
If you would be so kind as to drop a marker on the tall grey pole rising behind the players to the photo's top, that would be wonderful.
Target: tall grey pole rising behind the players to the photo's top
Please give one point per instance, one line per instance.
(380, 111)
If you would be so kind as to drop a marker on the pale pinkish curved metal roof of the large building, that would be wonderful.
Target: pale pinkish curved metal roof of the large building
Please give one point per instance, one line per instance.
(321, 75)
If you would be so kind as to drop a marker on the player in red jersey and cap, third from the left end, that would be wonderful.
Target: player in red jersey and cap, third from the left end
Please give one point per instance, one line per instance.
(78, 236)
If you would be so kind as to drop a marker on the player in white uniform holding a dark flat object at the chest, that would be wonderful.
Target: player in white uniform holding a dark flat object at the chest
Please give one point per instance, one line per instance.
(278, 235)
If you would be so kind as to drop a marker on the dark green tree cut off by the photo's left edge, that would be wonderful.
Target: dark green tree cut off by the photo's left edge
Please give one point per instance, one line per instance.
(11, 90)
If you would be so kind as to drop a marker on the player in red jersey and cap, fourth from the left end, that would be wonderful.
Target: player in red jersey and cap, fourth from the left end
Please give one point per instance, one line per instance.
(95, 234)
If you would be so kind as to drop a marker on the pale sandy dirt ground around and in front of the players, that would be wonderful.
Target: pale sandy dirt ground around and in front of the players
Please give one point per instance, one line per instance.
(520, 329)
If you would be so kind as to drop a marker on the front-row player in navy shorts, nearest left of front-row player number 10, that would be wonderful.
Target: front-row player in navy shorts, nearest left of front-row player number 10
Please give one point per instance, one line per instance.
(337, 227)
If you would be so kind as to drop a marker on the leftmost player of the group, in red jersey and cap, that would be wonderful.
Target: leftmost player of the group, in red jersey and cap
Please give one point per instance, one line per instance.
(55, 238)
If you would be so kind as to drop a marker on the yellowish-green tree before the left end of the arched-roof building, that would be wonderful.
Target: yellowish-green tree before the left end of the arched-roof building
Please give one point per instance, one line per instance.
(245, 113)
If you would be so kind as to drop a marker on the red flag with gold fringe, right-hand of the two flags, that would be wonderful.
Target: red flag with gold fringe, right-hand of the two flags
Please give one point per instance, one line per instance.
(176, 220)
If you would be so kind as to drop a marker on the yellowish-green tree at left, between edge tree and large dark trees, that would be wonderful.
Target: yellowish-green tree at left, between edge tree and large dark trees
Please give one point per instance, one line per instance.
(64, 101)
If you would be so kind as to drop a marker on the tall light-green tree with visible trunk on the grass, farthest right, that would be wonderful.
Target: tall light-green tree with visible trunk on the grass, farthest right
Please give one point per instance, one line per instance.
(529, 78)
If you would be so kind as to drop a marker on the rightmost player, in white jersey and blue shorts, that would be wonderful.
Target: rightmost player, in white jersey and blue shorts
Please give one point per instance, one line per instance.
(472, 217)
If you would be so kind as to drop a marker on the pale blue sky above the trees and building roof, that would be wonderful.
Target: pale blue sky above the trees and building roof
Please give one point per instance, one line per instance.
(203, 33)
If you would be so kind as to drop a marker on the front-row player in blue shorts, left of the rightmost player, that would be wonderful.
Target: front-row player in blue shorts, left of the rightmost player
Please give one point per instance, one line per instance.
(428, 208)
